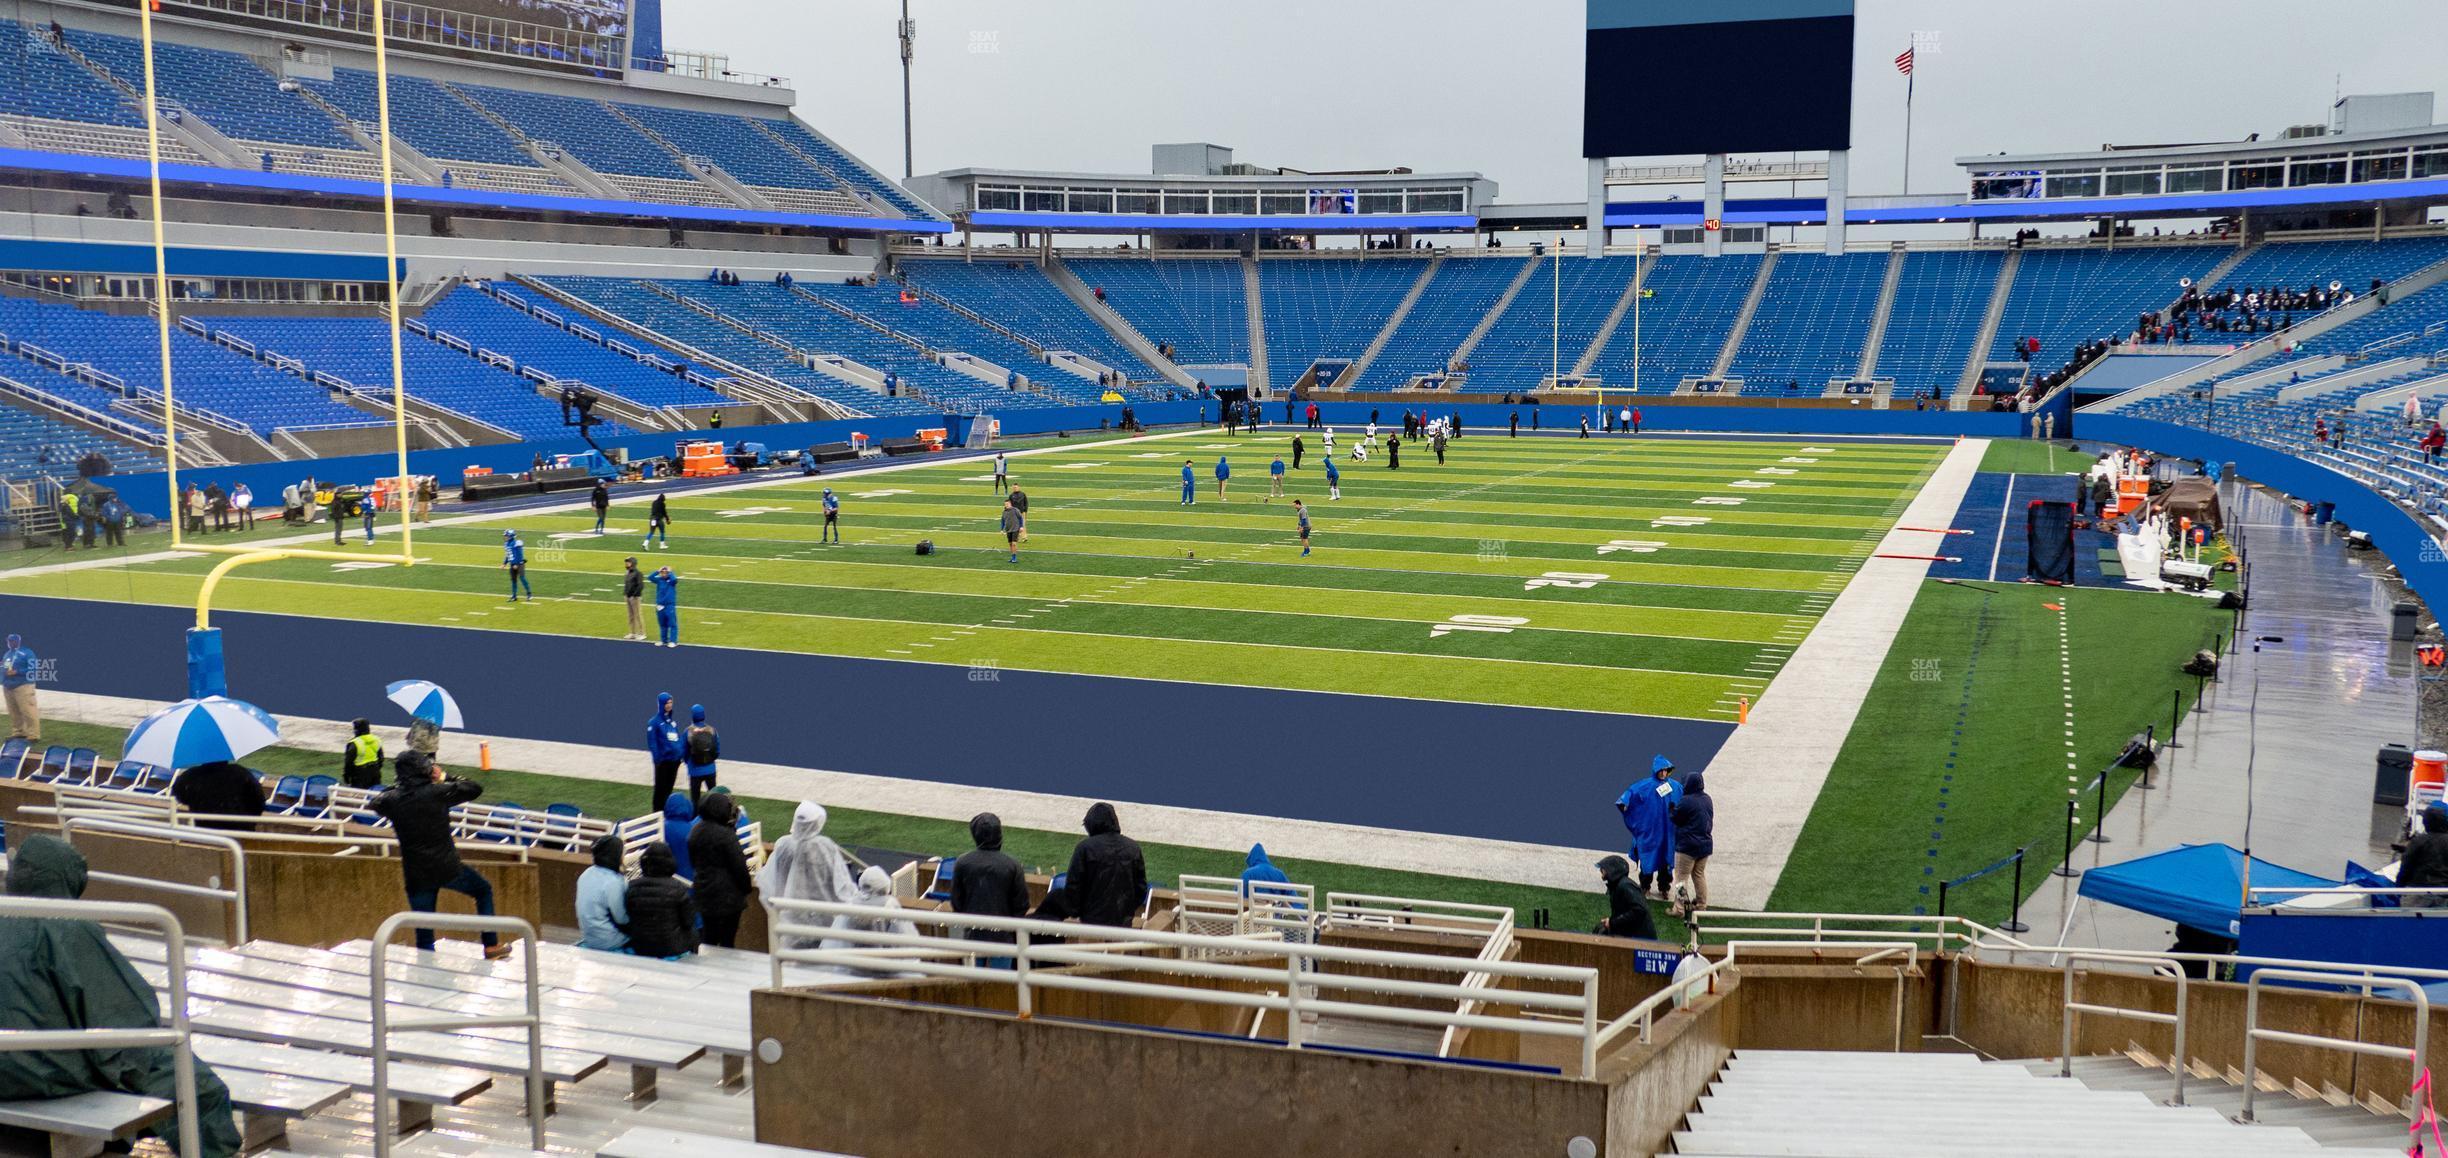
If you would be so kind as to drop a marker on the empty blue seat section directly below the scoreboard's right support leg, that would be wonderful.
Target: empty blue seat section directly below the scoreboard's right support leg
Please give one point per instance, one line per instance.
(1813, 322)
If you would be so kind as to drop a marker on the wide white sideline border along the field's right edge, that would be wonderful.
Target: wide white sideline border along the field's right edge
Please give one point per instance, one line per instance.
(1769, 775)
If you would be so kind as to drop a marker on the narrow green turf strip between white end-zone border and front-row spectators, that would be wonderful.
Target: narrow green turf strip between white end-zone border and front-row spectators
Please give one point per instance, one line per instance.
(922, 836)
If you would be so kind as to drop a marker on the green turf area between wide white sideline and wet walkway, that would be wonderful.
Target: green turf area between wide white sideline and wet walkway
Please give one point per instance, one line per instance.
(1896, 819)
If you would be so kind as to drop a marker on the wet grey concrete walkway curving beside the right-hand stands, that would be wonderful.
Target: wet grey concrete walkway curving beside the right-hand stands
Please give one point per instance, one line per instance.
(2332, 694)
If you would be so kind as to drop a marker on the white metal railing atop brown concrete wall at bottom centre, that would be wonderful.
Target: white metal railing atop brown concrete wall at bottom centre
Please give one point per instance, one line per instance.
(1286, 990)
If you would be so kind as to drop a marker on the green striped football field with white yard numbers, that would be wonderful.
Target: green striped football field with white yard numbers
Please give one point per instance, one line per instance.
(1656, 577)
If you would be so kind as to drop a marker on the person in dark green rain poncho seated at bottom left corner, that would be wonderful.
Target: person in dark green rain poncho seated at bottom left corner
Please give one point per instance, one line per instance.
(67, 976)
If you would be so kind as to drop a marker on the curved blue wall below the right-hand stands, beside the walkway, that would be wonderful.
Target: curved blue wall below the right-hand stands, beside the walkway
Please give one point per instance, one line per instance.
(2395, 532)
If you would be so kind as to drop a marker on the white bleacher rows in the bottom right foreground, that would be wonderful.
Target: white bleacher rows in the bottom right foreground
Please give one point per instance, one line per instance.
(1955, 1105)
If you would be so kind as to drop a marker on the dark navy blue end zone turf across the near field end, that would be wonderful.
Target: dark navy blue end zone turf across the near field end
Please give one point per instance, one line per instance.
(1529, 775)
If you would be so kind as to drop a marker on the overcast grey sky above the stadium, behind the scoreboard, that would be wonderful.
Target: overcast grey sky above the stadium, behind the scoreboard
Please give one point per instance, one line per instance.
(1497, 84)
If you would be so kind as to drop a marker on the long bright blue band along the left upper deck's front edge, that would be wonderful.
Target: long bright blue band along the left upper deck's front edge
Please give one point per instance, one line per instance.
(444, 197)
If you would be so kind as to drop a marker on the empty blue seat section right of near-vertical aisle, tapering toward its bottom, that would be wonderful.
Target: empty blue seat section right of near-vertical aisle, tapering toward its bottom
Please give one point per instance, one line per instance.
(1321, 307)
